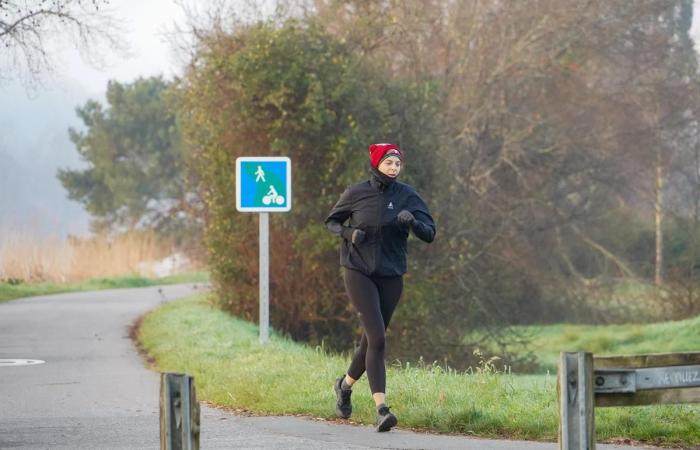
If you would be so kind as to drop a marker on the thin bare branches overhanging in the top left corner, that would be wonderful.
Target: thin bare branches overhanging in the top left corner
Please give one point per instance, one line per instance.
(30, 29)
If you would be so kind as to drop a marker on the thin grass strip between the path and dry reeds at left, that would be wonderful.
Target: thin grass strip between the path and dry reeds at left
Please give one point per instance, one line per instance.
(10, 291)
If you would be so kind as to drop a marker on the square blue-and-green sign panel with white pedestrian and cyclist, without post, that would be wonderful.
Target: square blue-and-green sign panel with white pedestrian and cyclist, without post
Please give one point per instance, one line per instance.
(263, 184)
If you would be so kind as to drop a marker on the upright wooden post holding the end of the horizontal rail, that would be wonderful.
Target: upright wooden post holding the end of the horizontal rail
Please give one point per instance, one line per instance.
(575, 393)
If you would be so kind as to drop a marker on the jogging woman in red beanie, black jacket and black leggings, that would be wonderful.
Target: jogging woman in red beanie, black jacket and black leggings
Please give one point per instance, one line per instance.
(374, 218)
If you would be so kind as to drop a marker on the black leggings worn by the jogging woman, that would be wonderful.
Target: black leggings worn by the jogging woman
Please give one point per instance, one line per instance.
(375, 298)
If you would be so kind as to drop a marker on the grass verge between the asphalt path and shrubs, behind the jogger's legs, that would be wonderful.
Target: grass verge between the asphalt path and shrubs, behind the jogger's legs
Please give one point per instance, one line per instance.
(232, 369)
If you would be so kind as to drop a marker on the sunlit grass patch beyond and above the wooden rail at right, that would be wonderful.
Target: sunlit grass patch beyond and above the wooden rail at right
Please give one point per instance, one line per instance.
(547, 341)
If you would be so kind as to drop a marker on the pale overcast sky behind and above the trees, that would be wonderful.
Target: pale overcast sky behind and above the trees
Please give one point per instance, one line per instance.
(145, 24)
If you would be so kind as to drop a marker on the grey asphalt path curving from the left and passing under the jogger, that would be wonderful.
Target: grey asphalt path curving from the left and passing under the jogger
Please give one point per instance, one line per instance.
(95, 392)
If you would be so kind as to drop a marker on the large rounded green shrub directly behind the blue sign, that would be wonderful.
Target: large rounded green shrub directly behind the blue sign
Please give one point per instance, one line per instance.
(292, 90)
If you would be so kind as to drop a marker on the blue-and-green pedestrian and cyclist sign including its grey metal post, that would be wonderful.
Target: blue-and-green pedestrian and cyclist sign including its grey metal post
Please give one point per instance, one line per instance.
(264, 185)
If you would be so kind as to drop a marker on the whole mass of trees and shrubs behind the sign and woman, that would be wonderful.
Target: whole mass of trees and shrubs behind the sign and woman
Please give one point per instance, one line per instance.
(556, 143)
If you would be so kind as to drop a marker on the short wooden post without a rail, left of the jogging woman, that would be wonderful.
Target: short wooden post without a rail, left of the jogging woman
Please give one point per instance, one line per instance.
(179, 412)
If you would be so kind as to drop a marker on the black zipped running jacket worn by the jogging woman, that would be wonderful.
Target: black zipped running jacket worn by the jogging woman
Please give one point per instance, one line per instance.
(372, 206)
